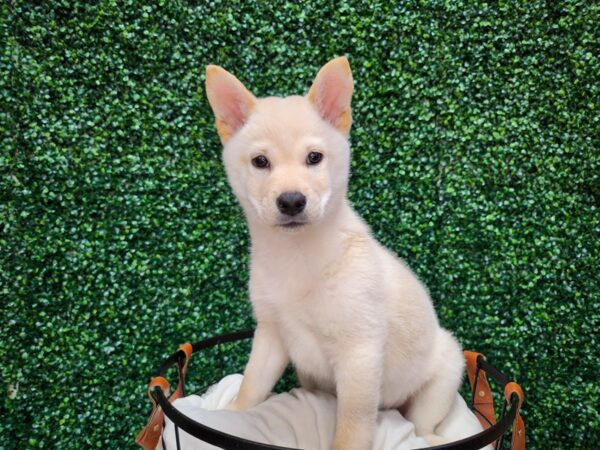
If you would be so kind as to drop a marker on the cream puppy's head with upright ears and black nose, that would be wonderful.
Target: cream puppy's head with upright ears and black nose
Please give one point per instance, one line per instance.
(287, 159)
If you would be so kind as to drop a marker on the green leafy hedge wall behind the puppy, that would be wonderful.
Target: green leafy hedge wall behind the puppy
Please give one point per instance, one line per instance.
(476, 158)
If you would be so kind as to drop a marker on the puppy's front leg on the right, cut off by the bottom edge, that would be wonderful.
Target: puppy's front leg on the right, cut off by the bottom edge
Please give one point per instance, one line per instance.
(358, 385)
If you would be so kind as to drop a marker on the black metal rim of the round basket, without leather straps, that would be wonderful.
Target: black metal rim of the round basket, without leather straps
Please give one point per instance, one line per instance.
(228, 441)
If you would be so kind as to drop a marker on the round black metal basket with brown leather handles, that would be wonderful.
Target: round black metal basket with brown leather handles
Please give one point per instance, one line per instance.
(495, 430)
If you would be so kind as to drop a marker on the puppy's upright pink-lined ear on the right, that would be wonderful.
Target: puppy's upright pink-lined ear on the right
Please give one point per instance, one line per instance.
(331, 93)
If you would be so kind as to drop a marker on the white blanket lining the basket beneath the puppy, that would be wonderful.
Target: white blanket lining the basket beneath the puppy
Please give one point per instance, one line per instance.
(301, 419)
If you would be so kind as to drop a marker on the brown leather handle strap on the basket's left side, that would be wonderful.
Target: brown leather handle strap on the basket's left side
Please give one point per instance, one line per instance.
(149, 436)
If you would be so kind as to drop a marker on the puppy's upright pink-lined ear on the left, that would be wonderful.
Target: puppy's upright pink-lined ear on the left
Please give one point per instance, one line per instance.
(230, 101)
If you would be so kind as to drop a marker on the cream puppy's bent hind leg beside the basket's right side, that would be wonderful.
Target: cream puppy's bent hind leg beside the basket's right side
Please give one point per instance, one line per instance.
(429, 405)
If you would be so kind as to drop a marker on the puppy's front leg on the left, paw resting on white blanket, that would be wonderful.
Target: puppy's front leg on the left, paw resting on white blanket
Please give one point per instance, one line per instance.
(268, 360)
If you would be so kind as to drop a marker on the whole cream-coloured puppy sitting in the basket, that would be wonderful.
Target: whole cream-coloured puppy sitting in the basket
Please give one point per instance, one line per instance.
(352, 317)
